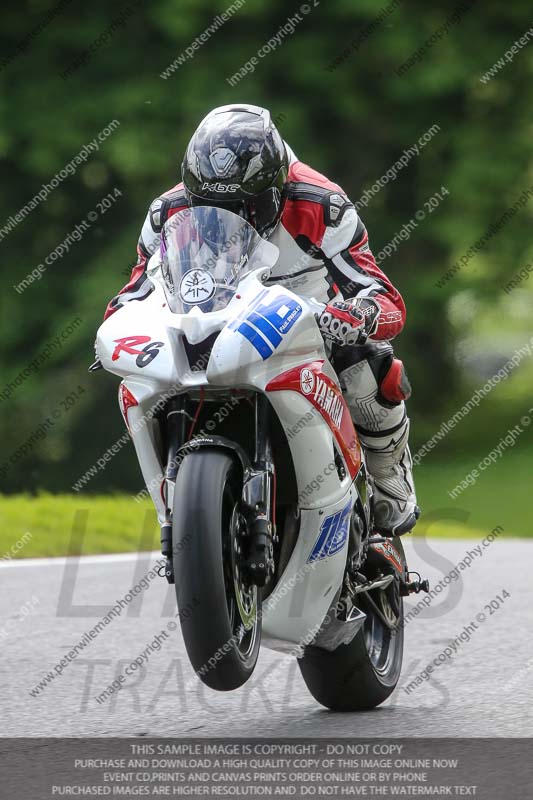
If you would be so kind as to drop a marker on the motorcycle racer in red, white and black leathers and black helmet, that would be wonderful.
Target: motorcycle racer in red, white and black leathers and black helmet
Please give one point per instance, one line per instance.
(237, 160)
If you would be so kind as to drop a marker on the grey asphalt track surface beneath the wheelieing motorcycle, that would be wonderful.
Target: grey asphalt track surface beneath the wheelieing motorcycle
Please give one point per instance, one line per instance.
(483, 689)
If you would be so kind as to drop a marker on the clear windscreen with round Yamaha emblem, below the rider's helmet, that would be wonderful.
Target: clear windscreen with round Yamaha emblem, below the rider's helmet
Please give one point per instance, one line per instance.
(205, 252)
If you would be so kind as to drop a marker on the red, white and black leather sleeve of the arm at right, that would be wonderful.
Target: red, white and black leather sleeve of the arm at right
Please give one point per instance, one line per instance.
(355, 271)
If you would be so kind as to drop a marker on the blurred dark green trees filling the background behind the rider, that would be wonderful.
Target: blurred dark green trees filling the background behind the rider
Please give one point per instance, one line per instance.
(344, 109)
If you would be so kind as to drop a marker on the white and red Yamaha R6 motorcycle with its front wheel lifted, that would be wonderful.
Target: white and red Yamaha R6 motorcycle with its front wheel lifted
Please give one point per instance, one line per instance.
(249, 453)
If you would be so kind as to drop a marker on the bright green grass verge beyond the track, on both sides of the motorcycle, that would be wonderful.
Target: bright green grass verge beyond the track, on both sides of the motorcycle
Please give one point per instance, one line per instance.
(54, 525)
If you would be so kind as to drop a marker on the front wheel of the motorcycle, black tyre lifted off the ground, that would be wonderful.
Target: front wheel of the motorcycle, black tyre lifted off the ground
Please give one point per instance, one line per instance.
(219, 613)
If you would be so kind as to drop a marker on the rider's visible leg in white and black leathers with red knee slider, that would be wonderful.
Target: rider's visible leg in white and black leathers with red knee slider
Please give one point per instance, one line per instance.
(375, 387)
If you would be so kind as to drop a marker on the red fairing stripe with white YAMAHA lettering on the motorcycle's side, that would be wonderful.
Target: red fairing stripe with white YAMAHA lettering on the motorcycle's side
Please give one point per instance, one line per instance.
(325, 395)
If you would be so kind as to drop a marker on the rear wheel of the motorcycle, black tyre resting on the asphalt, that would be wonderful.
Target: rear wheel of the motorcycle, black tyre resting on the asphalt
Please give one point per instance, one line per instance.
(362, 674)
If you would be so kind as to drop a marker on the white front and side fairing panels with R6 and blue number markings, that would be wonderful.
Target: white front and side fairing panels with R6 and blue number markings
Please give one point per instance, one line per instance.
(313, 576)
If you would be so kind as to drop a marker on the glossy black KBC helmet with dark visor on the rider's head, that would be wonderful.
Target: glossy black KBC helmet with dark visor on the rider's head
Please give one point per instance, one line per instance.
(237, 160)
